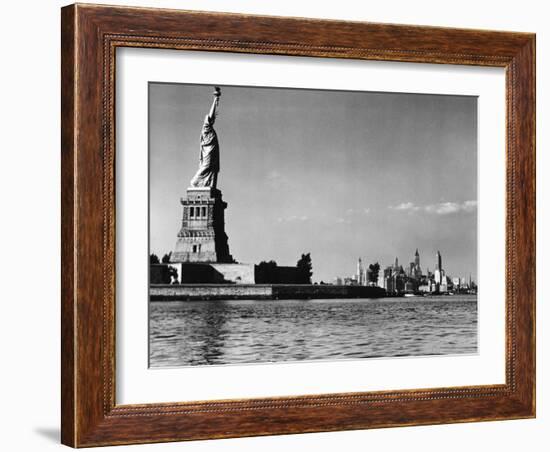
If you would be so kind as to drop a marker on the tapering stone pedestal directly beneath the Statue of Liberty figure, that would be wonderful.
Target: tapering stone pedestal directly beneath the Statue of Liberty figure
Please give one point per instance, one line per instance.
(202, 236)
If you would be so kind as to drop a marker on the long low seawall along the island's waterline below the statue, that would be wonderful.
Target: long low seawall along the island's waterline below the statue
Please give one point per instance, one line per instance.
(193, 292)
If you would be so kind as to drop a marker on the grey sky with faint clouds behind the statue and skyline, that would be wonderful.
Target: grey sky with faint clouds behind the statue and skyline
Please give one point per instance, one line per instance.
(339, 174)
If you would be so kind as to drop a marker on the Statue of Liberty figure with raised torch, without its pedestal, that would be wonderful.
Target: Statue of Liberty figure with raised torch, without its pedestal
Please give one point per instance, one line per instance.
(209, 163)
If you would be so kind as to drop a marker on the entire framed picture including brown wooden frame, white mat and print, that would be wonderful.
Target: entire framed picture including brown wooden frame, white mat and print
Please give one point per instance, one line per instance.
(281, 225)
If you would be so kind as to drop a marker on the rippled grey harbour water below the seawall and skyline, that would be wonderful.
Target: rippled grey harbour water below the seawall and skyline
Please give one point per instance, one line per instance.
(236, 332)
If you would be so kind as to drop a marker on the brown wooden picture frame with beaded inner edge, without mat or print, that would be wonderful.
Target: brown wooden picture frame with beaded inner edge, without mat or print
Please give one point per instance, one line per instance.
(90, 36)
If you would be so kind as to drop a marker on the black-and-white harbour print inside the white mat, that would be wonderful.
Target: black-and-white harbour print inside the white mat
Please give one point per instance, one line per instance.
(292, 225)
